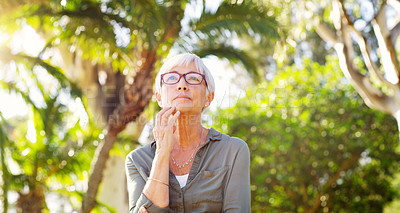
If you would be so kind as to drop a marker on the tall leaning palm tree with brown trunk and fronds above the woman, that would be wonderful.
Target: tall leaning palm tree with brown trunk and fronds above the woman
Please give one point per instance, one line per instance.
(131, 37)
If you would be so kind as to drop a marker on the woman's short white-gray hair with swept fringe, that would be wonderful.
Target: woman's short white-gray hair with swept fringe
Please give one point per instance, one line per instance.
(185, 59)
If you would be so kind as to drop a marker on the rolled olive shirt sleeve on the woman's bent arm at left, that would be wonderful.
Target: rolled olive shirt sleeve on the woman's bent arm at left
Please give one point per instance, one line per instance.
(135, 183)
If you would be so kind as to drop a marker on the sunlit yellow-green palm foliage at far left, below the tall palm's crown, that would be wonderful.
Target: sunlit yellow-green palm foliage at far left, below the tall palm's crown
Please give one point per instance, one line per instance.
(51, 147)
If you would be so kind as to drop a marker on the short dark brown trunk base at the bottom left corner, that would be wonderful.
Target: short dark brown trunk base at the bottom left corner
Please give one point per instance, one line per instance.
(33, 202)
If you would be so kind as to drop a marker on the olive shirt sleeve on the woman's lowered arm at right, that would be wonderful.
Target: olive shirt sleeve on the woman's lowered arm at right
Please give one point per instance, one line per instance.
(237, 191)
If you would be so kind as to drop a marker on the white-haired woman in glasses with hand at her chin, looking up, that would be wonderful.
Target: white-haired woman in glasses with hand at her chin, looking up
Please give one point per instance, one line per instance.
(188, 168)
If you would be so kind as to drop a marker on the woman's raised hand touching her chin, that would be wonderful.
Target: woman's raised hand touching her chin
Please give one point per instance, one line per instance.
(164, 128)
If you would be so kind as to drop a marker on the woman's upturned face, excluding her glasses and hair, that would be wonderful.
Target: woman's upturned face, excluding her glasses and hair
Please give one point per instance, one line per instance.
(185, 97)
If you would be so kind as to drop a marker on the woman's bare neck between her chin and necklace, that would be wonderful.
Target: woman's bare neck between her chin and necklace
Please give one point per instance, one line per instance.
(188, 131)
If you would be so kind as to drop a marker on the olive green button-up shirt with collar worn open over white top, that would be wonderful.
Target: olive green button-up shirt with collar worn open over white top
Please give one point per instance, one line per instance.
(219, 180)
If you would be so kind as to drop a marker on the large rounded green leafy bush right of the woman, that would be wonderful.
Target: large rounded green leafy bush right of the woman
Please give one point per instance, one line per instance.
(314, 145)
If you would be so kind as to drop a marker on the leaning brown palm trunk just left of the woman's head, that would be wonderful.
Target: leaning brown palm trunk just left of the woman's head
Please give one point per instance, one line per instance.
(135, 98)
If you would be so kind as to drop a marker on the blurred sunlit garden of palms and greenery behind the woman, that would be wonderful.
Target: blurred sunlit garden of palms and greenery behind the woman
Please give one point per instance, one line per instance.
(311, 86)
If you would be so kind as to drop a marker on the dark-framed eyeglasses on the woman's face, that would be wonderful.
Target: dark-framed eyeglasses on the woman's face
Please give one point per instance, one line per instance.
(192, 78)
